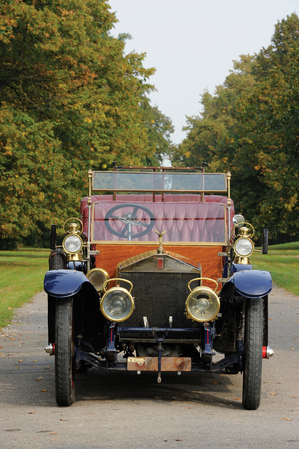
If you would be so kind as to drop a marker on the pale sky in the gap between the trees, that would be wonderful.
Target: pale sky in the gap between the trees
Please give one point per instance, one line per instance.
(192, 44)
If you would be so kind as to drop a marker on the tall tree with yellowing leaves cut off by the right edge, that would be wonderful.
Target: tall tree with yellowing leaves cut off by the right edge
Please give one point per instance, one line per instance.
(270, 118)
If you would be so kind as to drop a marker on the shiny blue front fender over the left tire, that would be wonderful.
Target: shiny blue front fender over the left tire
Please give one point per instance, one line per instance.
(66, 283)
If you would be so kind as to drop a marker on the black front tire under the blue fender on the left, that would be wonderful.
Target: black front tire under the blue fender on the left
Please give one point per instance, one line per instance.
(64, 353)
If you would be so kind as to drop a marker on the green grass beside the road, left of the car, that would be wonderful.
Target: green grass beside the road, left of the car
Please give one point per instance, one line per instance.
(22, 274)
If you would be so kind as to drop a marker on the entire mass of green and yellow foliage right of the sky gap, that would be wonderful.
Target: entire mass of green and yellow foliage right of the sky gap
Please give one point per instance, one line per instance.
(250, 127)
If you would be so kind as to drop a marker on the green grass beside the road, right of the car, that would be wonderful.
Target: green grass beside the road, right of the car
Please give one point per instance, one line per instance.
(283, 263)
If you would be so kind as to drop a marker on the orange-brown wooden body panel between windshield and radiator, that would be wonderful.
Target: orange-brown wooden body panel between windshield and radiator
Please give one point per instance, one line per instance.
(207, 256)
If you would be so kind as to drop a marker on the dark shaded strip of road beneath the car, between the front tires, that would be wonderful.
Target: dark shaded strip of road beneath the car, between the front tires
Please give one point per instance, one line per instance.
(193, 387)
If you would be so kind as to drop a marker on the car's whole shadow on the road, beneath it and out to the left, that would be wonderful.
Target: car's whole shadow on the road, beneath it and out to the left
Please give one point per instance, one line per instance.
(34, 384)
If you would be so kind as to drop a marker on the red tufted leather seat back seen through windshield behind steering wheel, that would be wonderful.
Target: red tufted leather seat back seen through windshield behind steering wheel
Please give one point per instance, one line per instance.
(138, 220)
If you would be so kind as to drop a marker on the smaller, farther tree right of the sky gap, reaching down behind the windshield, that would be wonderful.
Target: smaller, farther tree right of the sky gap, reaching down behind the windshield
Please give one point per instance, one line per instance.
(215, 136)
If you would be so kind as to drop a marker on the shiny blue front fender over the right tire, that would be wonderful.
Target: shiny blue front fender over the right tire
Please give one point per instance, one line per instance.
(251, 283)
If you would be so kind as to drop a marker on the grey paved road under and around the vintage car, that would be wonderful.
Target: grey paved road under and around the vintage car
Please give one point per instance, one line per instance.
(123, 410)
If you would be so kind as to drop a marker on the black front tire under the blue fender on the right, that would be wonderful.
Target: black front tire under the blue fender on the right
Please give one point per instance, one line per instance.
(252, 373)
